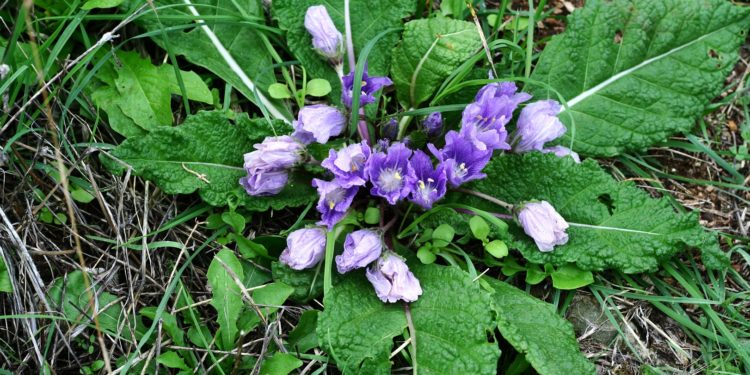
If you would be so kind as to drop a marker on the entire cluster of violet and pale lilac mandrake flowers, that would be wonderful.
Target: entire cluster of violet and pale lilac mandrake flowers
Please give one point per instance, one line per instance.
(392, 170)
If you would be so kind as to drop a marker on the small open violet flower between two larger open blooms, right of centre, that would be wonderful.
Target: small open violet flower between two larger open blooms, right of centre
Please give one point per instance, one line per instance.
(429, 182)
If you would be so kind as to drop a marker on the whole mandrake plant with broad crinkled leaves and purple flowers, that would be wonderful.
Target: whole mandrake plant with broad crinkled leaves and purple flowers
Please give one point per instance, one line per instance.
(424, 159)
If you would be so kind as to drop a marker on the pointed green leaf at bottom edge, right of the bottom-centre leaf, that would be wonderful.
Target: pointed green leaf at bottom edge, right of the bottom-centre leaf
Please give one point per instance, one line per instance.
(534, 329)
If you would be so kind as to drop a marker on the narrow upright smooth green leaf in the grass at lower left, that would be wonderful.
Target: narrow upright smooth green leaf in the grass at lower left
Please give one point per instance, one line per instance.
(226, 295)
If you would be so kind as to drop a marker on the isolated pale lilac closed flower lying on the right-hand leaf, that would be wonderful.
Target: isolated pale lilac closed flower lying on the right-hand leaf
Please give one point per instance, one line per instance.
(542, 223)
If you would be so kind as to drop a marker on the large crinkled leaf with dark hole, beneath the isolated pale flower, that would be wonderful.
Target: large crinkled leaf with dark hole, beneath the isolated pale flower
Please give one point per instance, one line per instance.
(624, 228)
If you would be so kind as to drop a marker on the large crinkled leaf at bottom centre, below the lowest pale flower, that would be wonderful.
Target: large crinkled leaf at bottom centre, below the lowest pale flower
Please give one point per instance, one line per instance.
(451, 320)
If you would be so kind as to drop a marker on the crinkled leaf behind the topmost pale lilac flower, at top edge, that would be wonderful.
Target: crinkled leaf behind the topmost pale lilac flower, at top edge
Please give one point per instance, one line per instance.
(368, 19)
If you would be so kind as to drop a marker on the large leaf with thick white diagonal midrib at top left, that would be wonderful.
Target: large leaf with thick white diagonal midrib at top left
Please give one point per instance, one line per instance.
(239, 36)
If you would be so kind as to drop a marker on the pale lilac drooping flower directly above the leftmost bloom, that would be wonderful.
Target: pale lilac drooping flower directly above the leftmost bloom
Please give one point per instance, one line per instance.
(274, 153)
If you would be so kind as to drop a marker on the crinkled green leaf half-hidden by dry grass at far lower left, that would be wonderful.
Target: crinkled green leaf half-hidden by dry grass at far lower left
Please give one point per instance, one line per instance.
(69, 294)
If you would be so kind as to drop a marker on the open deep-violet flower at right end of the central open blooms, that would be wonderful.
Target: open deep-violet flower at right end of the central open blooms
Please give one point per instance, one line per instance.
(462, 160)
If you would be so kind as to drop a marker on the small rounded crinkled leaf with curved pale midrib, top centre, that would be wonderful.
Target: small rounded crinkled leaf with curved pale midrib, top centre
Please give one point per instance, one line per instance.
(429, 51)
